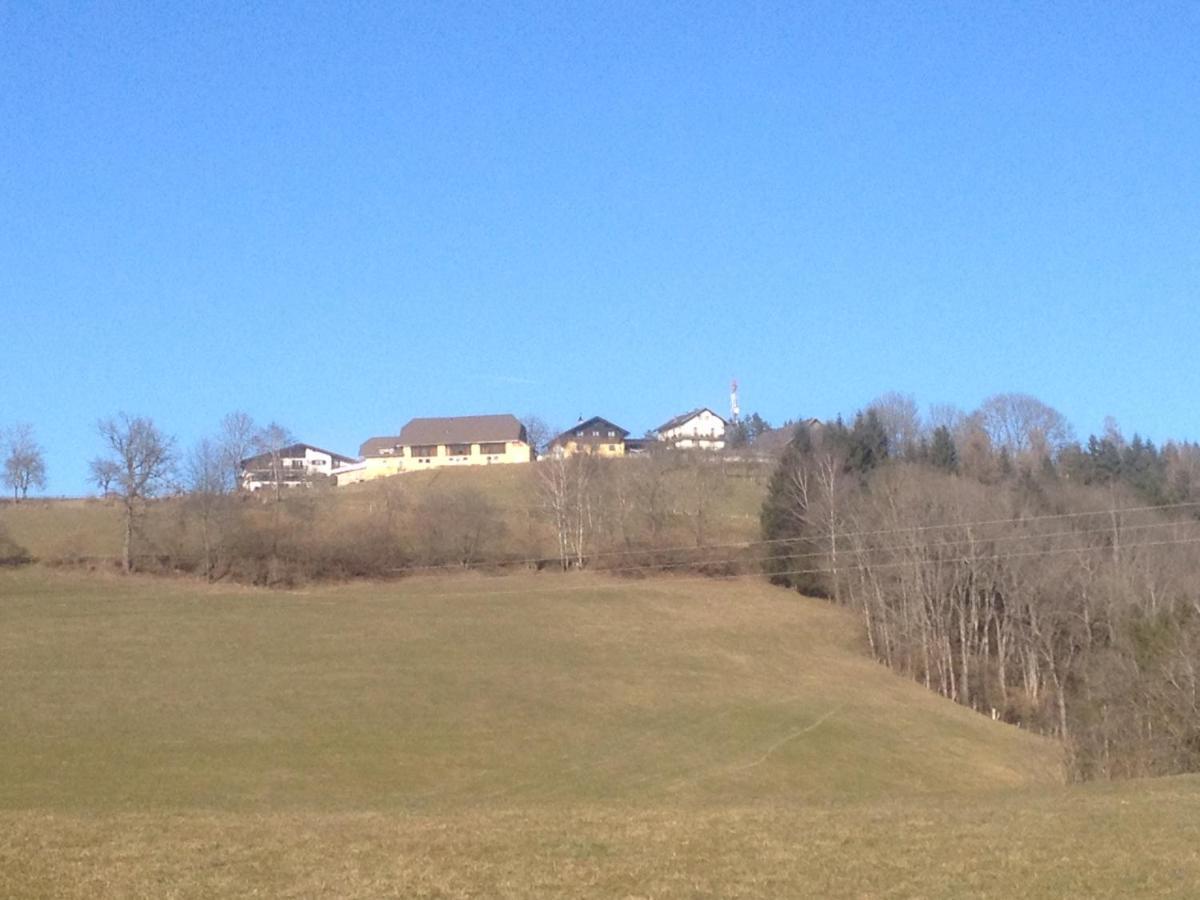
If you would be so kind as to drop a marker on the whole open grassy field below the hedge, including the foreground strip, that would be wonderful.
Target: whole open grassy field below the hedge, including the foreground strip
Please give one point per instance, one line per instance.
(525, 736)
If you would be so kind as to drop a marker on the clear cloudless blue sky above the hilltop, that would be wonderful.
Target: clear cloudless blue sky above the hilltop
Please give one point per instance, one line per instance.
(344, 215)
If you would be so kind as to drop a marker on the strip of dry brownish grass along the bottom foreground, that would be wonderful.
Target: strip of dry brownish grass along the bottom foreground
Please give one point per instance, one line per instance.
(1137, 839)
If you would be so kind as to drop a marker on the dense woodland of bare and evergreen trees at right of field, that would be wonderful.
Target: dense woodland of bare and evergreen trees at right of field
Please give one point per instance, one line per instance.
(1000, 562)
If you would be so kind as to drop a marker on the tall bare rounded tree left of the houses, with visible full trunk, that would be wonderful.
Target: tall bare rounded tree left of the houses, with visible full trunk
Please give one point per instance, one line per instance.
(141, 463)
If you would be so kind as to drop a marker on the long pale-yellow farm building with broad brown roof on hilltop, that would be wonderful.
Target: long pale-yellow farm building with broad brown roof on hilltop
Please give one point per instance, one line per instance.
(440, 442)
